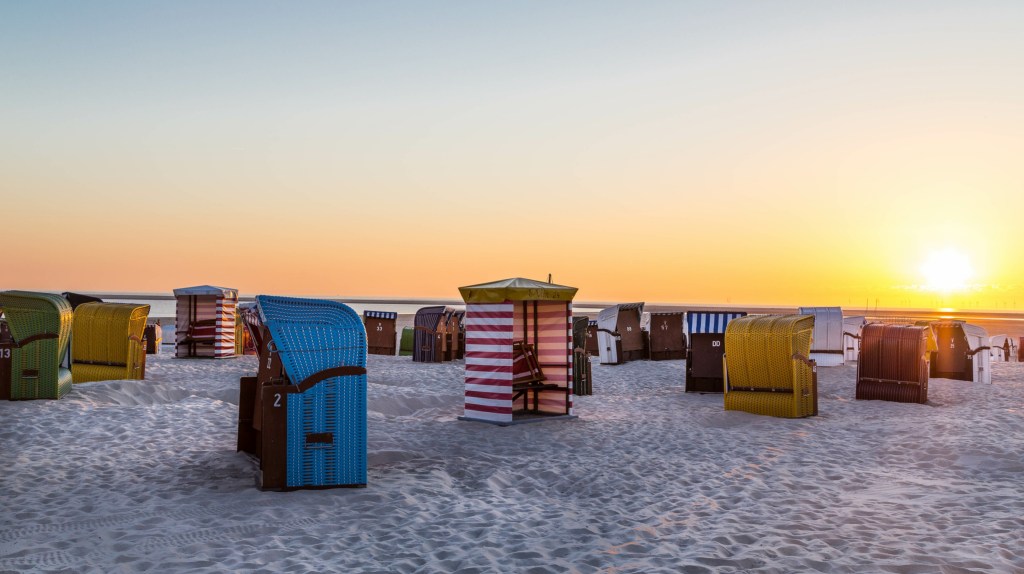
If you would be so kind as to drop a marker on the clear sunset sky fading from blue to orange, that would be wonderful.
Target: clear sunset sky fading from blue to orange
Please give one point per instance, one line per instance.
(733, 153)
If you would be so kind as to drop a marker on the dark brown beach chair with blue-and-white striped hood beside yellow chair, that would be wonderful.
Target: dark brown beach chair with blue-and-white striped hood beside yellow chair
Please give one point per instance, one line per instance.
(706, 337)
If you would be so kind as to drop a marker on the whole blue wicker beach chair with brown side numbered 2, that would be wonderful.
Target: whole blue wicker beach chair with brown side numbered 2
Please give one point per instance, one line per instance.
(305, 415)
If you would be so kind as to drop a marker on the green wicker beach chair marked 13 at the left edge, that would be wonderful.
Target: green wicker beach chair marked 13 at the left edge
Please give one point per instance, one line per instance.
(36, 371)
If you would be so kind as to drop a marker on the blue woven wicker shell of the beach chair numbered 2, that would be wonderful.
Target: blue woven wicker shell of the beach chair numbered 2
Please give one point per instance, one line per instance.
(311, 336)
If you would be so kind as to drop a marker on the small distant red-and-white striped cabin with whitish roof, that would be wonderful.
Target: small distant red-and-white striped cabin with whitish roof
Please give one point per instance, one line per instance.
(204, 325)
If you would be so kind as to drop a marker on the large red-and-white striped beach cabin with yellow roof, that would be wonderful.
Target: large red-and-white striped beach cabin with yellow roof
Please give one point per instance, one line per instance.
(519, 314)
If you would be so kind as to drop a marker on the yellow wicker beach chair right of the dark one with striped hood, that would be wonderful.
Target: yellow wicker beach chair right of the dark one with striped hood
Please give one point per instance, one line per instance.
(766, 367)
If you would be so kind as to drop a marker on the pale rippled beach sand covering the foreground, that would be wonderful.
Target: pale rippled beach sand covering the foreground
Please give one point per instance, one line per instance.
(143, 476)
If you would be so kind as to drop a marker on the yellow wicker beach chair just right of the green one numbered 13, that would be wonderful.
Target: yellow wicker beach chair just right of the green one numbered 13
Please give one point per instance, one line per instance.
(108, 344)
